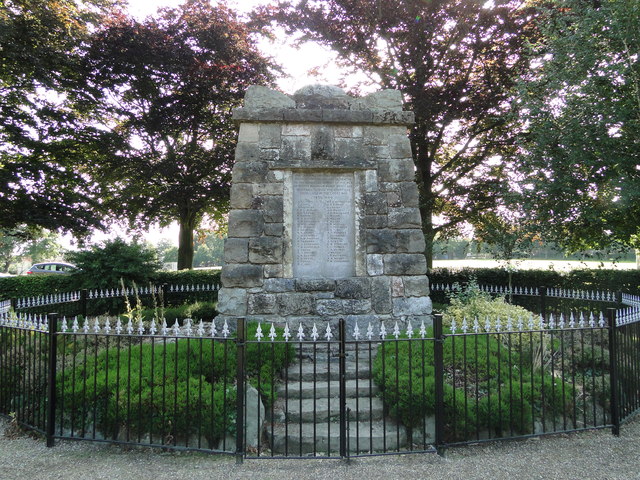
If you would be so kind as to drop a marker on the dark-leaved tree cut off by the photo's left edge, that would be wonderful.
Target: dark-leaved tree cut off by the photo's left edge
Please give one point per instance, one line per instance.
(41, 160)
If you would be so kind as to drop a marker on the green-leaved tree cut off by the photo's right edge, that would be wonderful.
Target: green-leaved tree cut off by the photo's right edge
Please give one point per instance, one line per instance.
(579, 176)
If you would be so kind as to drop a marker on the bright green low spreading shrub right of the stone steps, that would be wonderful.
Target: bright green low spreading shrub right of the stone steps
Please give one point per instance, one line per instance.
(511, 392)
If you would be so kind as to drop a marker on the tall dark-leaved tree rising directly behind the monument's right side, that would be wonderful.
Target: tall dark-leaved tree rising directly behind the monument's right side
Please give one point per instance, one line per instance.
(455, 63)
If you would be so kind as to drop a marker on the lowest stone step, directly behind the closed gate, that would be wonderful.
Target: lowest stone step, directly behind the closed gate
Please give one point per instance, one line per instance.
(323, 439)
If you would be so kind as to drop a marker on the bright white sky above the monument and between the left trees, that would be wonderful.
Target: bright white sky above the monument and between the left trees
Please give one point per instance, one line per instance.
(296, 64)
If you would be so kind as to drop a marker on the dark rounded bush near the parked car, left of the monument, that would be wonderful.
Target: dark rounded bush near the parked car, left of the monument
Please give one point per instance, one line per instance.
(106, 265)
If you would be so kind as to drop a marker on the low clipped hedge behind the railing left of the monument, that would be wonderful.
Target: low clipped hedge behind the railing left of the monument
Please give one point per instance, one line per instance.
(35, 285)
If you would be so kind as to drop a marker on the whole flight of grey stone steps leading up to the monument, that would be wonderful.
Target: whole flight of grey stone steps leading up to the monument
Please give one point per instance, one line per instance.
(307, 413)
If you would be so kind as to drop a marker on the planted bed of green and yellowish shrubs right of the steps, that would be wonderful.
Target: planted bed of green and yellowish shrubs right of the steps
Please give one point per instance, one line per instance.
(500, 382)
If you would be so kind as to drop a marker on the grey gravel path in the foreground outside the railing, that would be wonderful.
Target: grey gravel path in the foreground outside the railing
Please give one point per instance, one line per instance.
(589, 455)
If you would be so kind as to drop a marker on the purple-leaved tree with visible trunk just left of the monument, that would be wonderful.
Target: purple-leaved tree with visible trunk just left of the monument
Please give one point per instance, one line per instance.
(168, 86)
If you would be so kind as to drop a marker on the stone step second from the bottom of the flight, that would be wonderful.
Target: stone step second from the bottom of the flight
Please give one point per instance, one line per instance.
(323, 409)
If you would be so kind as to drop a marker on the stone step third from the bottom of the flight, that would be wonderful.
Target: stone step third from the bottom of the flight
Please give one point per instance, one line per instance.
(323, 389)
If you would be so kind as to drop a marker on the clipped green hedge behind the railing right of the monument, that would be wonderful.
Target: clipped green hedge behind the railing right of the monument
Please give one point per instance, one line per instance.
(583, 279)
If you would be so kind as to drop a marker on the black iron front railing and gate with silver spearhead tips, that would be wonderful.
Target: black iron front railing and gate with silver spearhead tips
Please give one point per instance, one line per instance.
(338, 390)
